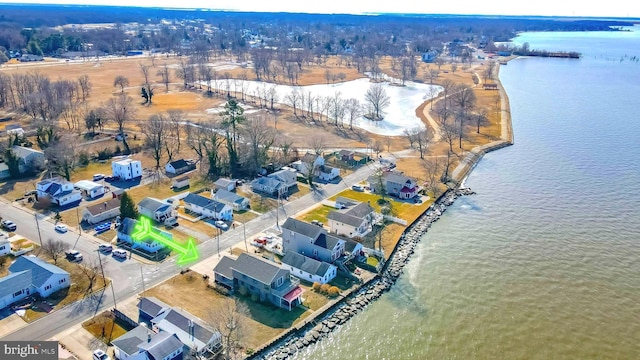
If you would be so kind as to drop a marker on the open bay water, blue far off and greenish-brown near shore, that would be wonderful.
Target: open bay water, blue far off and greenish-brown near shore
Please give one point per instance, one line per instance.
(544, 262)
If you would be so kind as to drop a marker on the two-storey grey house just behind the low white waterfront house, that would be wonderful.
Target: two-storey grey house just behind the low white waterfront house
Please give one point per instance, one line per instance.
(311, 240)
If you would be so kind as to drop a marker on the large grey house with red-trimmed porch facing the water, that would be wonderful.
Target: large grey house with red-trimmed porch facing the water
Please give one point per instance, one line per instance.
(260, 277)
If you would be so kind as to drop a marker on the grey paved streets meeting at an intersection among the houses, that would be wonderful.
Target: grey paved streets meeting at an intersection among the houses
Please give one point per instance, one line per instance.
(127, 275)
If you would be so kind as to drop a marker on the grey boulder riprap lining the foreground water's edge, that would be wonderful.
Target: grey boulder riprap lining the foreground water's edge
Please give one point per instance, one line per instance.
(359, 300)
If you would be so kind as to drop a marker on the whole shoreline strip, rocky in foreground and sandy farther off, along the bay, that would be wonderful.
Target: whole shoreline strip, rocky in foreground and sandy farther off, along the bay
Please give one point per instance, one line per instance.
(298, 338)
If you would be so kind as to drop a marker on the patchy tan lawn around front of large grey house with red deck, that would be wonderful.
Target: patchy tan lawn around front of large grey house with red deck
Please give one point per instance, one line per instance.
(265, 321)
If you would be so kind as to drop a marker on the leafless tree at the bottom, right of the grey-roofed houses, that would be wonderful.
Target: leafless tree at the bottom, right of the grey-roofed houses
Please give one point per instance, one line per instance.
(230, 320)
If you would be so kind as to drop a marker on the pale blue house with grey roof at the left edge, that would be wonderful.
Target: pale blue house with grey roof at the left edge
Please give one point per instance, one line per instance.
(29, 275)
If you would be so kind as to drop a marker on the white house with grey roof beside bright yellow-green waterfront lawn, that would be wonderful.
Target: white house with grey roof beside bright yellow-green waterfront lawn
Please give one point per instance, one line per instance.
(355, 221)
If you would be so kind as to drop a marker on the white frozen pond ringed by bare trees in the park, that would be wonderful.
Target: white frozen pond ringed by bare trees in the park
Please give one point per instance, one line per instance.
(399, 115)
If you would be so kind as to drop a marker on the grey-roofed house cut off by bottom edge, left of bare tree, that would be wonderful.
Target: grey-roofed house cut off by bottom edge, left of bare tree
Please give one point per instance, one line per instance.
(143, 343)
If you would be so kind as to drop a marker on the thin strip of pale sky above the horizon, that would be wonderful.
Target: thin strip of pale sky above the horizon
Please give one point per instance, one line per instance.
(609, 8)
